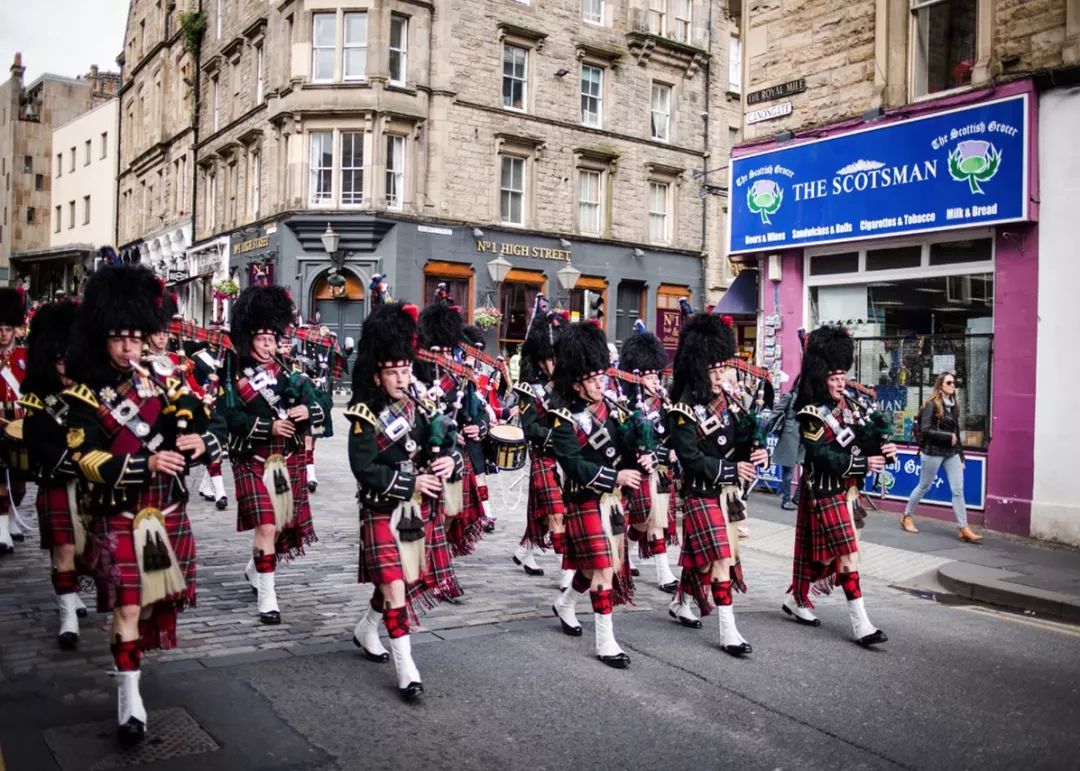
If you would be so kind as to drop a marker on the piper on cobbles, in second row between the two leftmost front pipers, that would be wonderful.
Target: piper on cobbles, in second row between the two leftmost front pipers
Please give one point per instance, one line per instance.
(269, 410)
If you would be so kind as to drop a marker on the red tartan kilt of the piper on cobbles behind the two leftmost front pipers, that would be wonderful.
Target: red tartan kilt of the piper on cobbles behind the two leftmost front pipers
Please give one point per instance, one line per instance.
(253, 502)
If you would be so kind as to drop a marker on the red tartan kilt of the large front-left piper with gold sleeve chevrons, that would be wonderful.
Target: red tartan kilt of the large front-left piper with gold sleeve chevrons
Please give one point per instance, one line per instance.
(111, 556)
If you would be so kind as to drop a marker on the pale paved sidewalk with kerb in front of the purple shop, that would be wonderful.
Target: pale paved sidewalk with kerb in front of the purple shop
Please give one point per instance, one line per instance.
(1006, 571)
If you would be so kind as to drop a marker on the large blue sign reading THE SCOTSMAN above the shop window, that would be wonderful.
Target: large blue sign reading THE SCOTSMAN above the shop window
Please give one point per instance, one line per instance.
(958, 169)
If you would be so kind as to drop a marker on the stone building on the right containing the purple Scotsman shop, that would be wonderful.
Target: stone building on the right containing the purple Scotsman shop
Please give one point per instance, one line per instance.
(909, 170)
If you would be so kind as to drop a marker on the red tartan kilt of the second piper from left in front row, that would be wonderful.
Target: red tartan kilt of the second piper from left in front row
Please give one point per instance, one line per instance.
(381, 562)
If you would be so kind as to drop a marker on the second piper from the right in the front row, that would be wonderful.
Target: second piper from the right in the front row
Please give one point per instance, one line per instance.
(705, 432)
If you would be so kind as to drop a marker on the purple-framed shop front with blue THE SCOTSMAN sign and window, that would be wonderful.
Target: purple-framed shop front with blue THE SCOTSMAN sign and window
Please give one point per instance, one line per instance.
(917, 234)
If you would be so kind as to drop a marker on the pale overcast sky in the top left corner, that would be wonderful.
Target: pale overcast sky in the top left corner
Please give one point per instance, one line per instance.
(64, 37)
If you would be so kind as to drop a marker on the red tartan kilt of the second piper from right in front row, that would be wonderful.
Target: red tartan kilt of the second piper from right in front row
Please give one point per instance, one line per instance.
(705, 542)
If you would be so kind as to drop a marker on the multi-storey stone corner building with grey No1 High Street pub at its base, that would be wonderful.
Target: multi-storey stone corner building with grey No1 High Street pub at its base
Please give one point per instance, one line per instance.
(562, 136)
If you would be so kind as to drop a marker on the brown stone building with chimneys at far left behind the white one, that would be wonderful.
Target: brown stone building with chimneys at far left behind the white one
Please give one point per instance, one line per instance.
(29, 114)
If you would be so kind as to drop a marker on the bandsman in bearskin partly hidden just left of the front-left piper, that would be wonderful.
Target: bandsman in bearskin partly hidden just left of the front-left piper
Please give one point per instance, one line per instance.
(45, 431)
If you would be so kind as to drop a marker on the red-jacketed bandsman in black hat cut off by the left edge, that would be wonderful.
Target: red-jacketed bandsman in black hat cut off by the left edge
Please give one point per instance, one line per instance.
(12, 374)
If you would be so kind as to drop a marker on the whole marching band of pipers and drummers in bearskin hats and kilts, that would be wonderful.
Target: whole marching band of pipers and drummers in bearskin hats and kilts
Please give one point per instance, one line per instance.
(116, 400)
